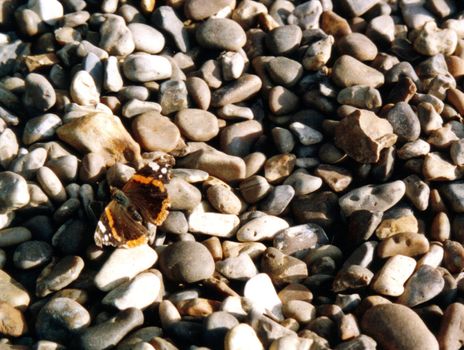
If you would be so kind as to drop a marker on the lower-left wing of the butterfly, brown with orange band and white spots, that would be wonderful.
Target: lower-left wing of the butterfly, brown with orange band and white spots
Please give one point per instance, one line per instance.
(118, 228)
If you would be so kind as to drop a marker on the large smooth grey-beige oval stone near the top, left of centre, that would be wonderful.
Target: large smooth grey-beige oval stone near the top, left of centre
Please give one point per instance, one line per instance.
(221, 34)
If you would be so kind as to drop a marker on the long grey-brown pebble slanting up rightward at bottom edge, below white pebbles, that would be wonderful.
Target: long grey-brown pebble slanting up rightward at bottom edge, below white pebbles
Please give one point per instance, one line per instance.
(111, 332)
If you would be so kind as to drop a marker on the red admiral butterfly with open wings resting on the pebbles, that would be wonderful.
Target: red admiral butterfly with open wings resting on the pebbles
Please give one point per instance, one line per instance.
(143, 200)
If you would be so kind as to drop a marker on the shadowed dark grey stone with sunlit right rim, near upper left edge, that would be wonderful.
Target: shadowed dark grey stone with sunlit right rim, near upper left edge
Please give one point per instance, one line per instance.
(39, 93)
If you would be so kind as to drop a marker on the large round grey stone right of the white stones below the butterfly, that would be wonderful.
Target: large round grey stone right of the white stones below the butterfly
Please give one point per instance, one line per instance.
(186, 262)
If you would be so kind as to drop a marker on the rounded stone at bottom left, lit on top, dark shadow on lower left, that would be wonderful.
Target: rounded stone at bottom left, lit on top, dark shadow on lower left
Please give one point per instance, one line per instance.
(60, 318)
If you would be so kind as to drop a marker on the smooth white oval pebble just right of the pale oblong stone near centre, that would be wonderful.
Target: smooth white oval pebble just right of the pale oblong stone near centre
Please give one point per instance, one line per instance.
(261, 228)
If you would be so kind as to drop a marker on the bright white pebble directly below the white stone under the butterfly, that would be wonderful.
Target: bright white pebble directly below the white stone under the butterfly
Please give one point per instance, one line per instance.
(140, 292)
